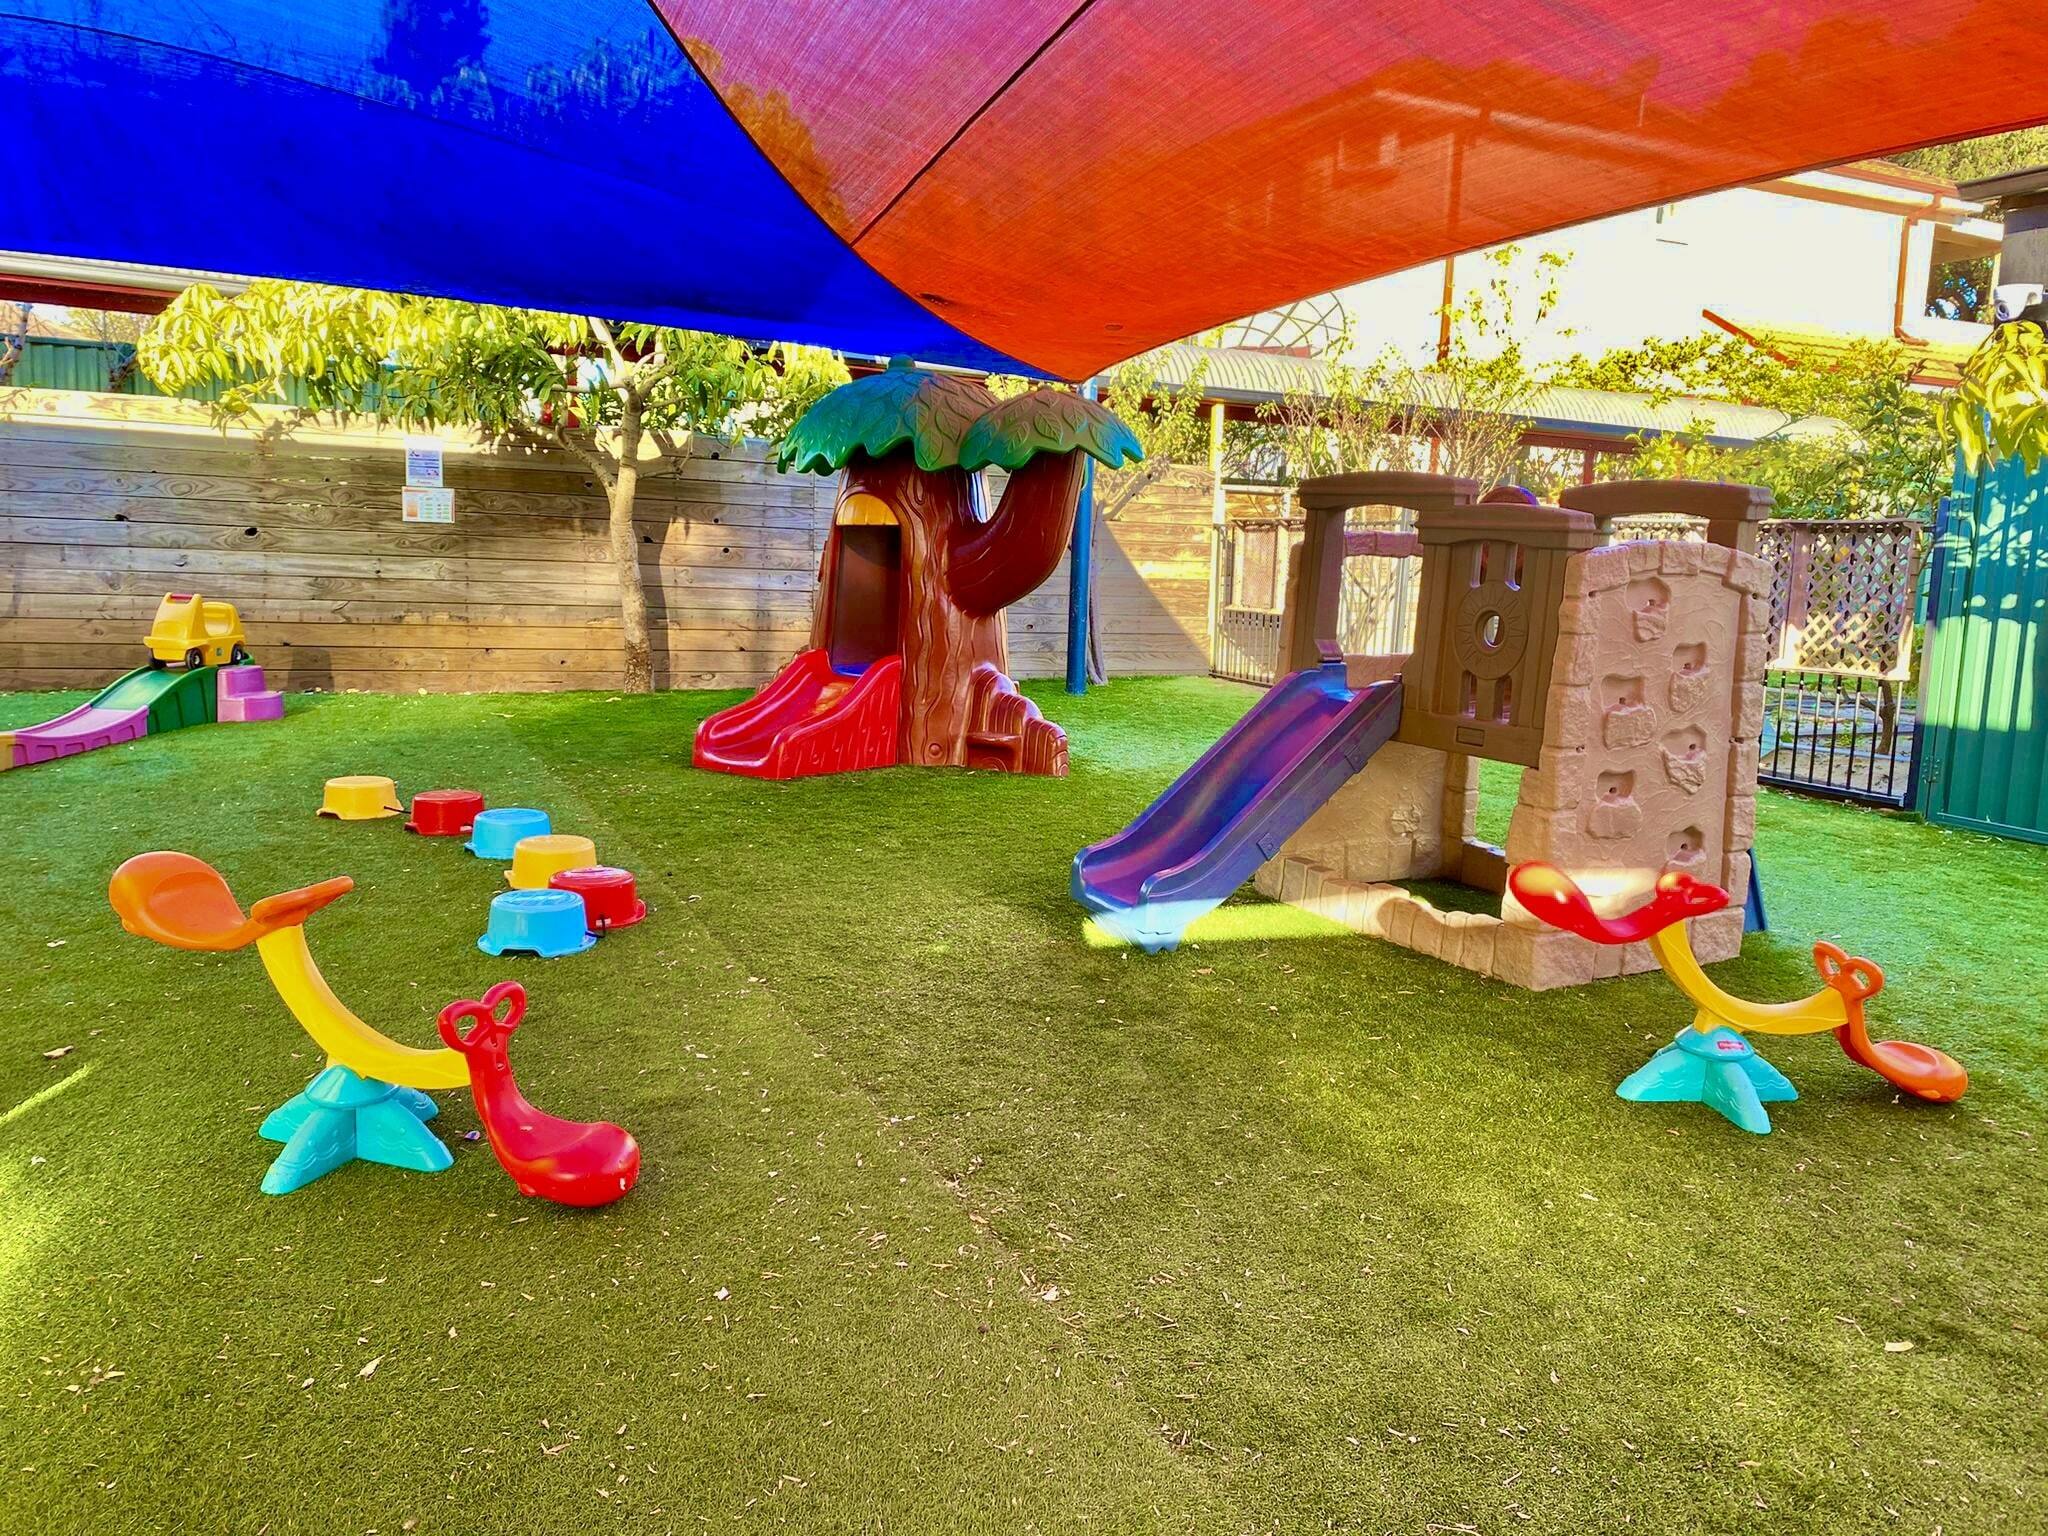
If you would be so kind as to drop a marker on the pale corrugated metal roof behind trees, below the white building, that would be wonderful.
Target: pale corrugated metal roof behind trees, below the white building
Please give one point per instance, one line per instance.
(1250, 378)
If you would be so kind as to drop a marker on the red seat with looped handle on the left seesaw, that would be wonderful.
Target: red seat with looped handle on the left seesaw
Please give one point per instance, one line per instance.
(568, 1162)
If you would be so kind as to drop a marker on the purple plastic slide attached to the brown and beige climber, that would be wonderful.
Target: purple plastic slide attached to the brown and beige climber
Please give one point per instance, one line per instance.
(1236, 806)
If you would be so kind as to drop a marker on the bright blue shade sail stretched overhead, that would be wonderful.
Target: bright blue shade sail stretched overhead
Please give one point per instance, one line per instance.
(560, 157)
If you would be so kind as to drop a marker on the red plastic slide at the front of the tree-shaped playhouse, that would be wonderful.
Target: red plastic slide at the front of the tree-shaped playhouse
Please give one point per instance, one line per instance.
(810, 720)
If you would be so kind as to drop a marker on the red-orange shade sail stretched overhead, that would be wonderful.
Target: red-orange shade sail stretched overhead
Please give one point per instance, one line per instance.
(1072, 183)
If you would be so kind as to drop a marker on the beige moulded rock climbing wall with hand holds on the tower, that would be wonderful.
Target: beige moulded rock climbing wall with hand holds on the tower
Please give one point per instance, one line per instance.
(1650, 757)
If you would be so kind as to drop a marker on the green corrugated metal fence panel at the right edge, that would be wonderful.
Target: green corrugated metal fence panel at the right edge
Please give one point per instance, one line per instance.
(1986, 697)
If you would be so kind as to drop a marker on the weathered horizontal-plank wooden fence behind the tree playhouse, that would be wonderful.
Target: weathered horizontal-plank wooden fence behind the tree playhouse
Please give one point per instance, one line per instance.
(112, 501)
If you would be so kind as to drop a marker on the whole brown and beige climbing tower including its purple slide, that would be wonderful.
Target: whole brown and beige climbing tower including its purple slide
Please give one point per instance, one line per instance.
(1623, 679)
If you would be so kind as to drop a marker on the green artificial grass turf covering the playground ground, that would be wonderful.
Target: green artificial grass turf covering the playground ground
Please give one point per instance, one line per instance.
(1017, 1232)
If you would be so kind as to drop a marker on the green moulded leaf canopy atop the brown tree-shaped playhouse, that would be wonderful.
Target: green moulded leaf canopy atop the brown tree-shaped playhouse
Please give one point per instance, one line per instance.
(949, 423)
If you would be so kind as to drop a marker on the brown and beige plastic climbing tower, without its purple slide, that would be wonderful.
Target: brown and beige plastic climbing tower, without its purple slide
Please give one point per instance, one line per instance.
(1625, 679)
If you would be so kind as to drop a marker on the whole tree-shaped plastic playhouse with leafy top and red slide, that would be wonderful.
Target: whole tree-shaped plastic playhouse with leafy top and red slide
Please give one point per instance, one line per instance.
(908, 660)
